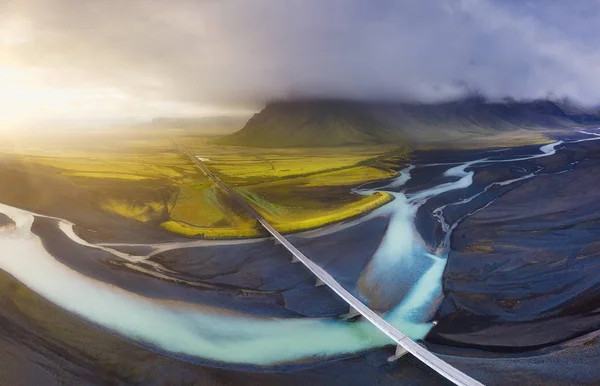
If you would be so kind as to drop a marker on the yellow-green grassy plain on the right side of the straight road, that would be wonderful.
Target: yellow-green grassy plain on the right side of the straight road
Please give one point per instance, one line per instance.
(303, 188)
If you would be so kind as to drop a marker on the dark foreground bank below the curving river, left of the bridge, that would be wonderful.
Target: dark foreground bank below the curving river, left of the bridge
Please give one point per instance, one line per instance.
(42, 344)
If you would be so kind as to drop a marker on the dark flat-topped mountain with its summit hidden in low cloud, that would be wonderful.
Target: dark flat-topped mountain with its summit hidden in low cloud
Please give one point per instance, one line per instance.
(336, 123)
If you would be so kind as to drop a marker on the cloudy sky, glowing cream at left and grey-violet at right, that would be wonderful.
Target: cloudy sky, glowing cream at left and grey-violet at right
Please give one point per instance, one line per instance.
(106, 60)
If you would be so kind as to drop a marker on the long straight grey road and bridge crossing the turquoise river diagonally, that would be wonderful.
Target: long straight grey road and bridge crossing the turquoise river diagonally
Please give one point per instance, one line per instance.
(404, 343)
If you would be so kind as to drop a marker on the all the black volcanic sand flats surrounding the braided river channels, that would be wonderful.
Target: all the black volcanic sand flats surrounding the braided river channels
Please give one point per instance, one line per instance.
(521, 277)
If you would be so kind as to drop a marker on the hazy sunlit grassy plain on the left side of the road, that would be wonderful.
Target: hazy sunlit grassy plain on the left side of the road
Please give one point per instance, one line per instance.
(92, 180)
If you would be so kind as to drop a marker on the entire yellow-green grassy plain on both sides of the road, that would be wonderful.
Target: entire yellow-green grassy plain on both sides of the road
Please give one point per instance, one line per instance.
(147, 180)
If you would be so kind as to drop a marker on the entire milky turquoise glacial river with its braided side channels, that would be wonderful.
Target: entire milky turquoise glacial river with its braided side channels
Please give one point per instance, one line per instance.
(191, 331)
